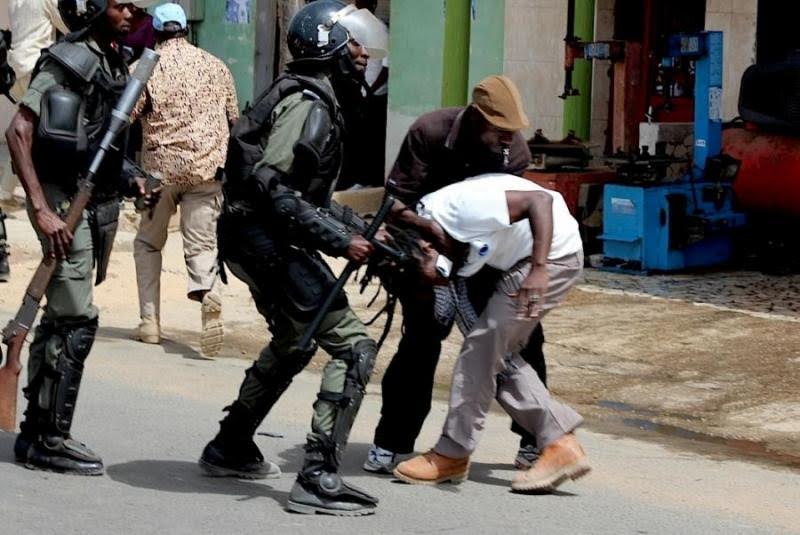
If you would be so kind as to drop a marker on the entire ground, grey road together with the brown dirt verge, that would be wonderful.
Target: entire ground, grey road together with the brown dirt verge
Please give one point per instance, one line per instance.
(703, 386)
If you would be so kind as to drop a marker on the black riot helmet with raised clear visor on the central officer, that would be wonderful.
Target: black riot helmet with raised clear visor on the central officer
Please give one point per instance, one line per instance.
(319, 33)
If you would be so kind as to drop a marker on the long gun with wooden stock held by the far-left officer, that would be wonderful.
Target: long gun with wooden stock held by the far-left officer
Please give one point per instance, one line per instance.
(17, 329)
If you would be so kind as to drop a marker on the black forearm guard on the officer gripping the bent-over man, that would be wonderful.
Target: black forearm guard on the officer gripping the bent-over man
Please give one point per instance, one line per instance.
(315, 226)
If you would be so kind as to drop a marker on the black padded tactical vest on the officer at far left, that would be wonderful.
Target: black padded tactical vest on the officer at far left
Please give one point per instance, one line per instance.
(74, 116)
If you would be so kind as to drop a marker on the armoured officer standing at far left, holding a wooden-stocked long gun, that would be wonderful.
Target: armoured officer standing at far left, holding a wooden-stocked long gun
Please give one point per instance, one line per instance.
(52, 138)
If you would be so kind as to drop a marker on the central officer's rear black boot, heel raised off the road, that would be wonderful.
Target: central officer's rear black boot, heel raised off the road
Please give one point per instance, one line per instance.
(232, 453)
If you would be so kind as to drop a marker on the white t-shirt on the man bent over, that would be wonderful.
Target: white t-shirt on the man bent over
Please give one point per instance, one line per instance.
(475, 211)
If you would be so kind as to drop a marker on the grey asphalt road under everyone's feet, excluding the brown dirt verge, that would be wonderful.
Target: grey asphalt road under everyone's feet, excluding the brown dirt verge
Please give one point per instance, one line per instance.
(149, 410)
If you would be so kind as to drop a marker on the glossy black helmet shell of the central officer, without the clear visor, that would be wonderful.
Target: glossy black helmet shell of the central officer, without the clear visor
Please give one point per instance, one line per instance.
(314, 33)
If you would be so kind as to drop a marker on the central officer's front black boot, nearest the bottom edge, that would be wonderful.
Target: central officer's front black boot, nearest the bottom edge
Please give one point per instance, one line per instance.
(320, 489)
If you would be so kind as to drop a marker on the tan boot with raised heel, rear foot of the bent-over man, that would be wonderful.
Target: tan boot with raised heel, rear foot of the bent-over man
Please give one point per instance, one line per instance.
(561, 460)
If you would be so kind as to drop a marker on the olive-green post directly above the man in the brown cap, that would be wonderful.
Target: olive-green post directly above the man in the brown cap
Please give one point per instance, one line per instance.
(455, 74)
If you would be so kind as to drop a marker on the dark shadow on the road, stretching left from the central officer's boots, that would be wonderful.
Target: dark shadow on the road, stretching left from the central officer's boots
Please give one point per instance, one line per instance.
(185, 477)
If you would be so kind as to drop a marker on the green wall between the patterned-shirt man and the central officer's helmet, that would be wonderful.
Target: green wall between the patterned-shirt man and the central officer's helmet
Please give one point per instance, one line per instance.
(232, 43)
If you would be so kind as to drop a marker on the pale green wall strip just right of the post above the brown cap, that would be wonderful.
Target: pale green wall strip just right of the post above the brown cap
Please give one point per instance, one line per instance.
(487, 37)
